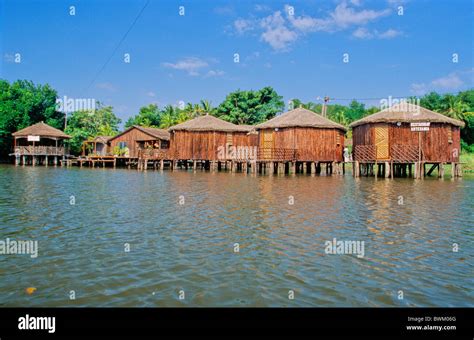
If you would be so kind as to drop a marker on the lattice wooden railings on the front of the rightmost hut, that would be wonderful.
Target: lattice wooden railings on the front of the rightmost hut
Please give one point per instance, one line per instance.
(398, 153)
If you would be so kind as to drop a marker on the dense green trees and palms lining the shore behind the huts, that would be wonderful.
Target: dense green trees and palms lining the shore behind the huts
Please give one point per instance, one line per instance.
(23, 103)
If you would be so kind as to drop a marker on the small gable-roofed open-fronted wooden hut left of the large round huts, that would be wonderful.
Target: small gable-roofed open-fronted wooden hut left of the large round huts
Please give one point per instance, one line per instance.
(132, 142)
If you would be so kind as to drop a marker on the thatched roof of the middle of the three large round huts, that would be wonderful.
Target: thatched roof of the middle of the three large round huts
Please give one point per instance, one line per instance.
(300, 117)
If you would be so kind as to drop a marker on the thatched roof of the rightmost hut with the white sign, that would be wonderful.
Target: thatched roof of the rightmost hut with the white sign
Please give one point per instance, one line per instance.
(407, 113)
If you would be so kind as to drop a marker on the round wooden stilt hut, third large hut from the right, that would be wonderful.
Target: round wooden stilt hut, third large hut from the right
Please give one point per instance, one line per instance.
(213, 143)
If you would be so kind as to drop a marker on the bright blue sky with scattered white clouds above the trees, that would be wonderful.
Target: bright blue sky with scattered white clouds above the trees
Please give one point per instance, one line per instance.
(297, 47)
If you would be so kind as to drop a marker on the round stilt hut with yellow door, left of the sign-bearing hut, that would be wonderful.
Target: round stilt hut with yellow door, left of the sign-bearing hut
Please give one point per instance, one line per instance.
(300, 141)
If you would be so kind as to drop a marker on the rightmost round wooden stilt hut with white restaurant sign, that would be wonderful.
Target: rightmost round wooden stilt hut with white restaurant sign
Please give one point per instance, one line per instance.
(390, 142)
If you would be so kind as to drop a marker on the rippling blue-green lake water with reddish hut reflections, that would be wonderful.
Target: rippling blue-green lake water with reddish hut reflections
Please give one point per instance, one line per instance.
(182, 229)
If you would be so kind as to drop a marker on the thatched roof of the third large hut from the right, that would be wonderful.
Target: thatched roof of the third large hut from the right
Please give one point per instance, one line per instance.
(210, 123)
